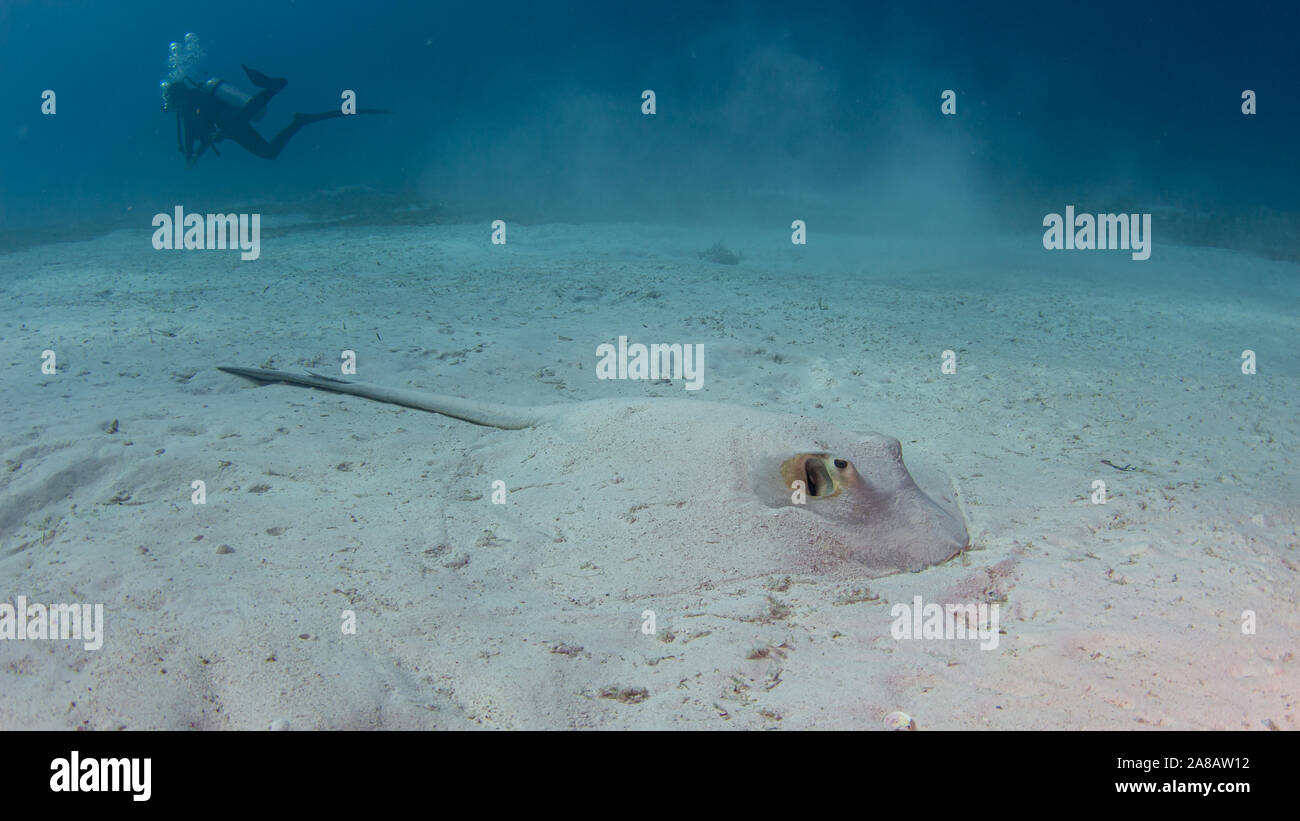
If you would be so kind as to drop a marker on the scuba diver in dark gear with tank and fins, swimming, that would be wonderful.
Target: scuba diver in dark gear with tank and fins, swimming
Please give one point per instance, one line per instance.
(216, 111)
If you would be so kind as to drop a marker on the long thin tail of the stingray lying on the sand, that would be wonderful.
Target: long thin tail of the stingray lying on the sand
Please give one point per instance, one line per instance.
(506, 418)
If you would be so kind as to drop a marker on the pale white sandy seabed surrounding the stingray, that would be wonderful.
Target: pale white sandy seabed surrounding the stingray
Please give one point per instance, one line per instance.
(1125, 615)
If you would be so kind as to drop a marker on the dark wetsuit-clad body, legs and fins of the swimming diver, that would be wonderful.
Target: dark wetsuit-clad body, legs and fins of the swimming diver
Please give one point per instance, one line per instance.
(205, 119)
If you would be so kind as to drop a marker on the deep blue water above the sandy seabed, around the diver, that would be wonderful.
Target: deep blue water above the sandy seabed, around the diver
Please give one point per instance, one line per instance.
(534, 110)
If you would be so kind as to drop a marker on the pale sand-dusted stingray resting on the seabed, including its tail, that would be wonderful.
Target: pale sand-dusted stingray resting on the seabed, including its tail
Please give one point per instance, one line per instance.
(697, 492)
